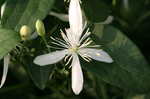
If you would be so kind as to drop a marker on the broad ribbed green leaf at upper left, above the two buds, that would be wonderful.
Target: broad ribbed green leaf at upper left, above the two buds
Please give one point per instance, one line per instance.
(25, 12)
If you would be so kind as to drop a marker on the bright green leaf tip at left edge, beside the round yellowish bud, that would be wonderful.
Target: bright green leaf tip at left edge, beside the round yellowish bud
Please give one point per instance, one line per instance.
(8, 40)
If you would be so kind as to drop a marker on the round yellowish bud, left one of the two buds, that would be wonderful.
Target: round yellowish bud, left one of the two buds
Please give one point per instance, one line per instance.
(25, 32)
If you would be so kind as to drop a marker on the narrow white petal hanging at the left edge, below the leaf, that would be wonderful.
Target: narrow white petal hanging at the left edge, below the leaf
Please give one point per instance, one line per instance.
(5, 69)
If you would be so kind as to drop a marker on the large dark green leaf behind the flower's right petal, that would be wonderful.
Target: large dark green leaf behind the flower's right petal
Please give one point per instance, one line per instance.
(129, 70)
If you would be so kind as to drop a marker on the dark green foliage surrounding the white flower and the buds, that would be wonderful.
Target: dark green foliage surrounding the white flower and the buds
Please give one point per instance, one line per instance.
(126, 39)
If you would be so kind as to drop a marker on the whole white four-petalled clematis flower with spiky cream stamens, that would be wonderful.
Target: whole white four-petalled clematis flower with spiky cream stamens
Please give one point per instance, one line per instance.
(75, 42)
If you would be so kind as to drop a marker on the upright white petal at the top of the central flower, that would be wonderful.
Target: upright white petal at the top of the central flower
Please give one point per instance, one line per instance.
(75, 17)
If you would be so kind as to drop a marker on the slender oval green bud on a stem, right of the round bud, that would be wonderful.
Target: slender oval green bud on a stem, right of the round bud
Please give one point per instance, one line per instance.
(40, 28)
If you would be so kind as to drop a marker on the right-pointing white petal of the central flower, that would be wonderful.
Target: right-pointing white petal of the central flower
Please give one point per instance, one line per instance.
(96, 54)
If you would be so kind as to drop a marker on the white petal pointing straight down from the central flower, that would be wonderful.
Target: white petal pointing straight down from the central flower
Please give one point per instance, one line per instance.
(77, 75)
